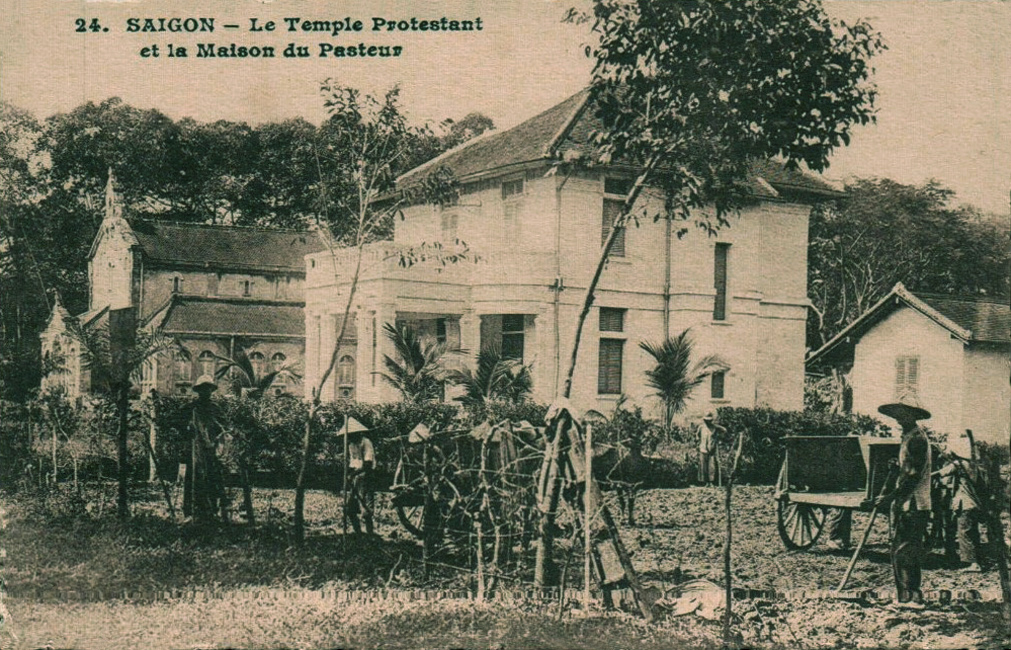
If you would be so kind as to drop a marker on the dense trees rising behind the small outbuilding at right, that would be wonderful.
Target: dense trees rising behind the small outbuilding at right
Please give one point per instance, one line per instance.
(884, 233)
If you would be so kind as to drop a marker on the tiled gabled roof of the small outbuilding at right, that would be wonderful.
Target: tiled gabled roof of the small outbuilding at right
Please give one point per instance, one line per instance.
(972, 319)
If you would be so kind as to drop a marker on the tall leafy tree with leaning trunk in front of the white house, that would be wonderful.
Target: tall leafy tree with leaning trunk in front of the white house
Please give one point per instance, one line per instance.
(692, 95)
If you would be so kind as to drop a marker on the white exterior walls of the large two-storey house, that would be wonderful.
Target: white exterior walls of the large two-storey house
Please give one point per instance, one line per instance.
(762, 339)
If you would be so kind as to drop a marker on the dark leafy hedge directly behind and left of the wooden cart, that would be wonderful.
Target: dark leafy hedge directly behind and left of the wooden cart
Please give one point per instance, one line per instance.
(764, 449)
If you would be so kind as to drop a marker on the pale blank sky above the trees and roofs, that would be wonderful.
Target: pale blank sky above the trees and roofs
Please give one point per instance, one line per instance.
(945, 82)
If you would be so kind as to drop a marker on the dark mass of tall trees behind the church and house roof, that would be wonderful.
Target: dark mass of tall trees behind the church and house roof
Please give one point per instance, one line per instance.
(53, 176)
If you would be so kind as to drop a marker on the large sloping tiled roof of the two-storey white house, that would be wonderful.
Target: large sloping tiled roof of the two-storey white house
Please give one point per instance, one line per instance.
(564, 133)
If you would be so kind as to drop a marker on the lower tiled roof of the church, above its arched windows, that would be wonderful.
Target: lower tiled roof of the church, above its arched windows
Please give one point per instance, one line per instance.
(234, 317)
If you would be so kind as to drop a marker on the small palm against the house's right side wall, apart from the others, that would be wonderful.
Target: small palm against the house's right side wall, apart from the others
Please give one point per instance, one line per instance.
(675, 378)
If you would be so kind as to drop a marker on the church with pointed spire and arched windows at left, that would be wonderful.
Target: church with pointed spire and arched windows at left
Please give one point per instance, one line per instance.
(213, 289)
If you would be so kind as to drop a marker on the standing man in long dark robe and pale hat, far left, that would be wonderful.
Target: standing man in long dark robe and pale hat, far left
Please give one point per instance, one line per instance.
(206, 482)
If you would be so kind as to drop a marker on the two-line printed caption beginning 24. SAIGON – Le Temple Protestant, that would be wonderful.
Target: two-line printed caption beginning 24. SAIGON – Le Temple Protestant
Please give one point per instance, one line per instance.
(289, 38)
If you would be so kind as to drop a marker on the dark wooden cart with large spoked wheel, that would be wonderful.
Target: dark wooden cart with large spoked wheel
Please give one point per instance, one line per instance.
(822, 473)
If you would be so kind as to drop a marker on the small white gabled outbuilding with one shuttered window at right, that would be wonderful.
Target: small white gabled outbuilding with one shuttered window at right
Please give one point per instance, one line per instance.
(954, 352)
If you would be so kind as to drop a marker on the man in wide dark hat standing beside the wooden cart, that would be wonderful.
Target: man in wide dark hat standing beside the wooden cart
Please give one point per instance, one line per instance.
(910, 501)
